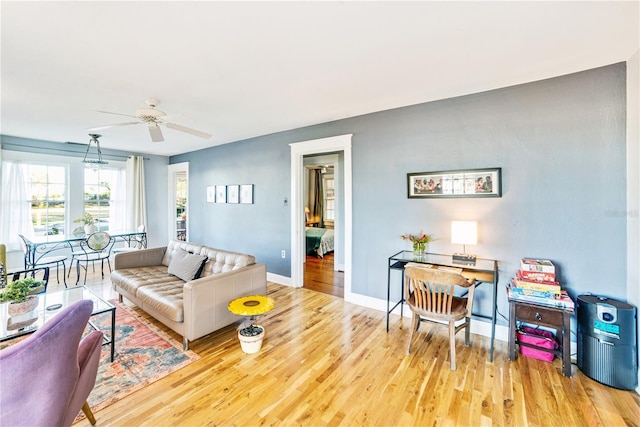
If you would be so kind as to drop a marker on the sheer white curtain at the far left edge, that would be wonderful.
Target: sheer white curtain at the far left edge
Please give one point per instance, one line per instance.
(16, 206)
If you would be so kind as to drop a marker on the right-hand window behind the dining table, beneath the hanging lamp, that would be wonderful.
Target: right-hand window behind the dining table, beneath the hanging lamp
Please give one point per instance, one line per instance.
(99, 184)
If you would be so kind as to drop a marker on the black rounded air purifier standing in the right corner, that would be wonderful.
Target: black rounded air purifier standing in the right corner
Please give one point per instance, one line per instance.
(608, 341)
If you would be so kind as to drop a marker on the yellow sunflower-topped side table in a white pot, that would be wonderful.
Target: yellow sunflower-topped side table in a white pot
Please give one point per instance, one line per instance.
(251, 306)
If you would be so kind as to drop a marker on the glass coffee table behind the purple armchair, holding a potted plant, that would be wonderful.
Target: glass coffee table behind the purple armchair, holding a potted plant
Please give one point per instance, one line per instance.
(49, 305)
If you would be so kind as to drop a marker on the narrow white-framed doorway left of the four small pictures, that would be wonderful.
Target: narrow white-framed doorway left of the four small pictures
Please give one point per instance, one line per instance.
(178, 201)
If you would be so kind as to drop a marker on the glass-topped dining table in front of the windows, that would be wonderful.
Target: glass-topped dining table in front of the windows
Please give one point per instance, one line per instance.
(38, 247)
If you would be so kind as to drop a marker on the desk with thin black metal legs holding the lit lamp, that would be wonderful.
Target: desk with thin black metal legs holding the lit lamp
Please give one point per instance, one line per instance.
(484, 271)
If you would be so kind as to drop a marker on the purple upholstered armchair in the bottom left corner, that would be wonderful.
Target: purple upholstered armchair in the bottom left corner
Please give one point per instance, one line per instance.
(45, 380)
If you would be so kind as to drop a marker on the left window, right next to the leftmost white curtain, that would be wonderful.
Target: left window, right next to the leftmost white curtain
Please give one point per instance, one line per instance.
(48, 200)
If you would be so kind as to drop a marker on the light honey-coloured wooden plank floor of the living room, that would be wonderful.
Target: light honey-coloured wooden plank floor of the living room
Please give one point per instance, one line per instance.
(328, 362)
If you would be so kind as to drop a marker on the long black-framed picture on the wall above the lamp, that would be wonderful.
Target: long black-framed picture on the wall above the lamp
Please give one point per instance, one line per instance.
(455, 183)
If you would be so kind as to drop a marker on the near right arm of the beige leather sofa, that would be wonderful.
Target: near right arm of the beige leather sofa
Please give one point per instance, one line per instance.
(205, 299)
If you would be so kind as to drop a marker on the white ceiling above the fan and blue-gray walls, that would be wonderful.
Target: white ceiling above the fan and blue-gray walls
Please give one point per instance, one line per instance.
(244, 69)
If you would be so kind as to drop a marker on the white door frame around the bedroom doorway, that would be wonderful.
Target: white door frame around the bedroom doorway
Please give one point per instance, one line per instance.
(338, 144)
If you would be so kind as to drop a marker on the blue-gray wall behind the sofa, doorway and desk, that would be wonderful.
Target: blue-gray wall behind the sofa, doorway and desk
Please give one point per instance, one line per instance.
(561, 146)
